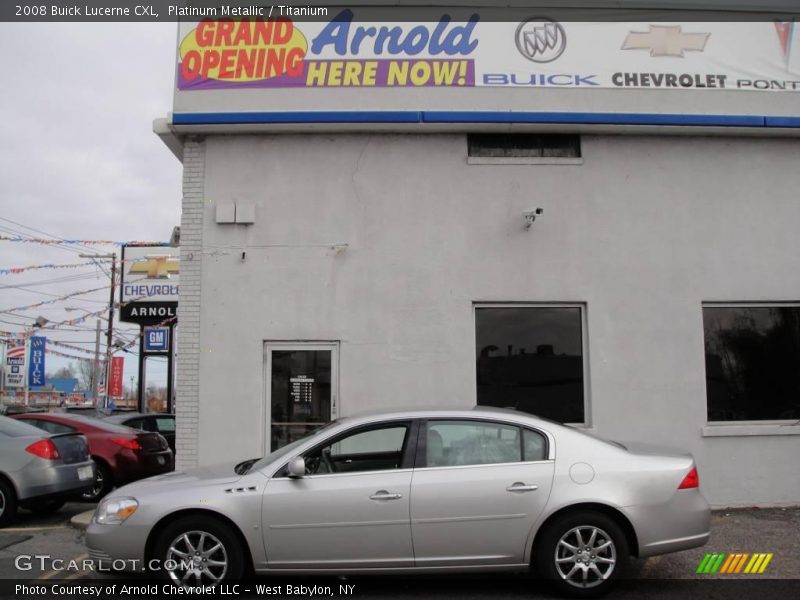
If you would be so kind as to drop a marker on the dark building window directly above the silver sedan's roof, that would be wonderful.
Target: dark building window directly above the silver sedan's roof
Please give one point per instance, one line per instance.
(531, 358)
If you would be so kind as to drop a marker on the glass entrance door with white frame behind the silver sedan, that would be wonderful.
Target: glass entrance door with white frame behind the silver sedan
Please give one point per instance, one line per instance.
(302, 380)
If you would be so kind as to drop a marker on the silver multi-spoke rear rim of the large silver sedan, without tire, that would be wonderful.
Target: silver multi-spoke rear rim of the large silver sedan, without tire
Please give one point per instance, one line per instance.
(585, 556)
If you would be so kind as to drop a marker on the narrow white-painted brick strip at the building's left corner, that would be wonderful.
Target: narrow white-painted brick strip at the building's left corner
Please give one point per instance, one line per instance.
(187, 407)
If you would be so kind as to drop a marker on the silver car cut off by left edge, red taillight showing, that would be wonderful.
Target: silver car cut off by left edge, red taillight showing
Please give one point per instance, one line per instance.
(38, 470)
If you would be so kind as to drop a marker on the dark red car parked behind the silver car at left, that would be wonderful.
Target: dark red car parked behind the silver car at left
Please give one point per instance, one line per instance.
(121, 454)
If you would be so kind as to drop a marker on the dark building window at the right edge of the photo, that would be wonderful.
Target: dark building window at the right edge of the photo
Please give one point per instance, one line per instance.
(752, 362)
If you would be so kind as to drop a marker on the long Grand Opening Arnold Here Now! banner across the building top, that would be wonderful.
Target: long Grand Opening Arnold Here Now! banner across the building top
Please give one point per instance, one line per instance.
(271, 54)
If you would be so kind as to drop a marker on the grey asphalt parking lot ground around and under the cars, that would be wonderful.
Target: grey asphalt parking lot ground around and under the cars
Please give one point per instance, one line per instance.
(670, 576)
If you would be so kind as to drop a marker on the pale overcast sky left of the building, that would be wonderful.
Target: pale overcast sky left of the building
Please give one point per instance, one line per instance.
(79, 160)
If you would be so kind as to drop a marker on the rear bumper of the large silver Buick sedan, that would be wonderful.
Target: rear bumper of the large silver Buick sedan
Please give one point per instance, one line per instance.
(682, 523)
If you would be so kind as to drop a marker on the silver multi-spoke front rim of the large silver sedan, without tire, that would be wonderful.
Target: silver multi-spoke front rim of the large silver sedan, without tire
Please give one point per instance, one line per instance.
(196, 558)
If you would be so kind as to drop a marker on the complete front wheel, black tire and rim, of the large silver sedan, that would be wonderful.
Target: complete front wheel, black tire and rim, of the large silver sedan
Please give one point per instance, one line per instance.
(225, 563)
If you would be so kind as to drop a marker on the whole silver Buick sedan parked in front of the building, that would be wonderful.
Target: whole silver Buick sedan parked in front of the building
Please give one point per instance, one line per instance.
(428, 491)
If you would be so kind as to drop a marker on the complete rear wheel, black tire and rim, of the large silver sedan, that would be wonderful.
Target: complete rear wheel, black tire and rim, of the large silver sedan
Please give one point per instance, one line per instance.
(564, 568)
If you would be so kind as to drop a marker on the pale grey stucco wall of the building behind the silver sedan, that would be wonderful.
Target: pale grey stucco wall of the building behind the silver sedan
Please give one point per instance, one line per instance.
(385, 242)
